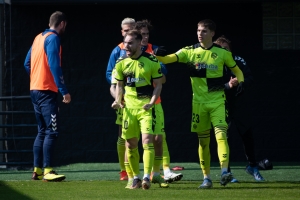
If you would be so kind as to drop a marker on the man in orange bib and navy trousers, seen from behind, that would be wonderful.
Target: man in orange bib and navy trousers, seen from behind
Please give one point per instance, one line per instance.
(43, 64)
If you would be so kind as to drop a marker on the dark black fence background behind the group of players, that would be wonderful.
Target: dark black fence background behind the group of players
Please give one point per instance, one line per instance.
(89, 133)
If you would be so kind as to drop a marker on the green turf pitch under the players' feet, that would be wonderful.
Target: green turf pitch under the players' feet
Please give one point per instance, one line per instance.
(100, 181)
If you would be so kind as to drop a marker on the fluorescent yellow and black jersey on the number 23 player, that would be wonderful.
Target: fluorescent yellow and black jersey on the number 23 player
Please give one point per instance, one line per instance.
(206, 71)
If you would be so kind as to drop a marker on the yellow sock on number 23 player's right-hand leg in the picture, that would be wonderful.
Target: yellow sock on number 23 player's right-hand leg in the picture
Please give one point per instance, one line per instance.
(223, 148)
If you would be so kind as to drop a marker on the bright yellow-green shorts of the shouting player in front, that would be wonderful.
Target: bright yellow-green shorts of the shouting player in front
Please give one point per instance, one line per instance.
(135, 122)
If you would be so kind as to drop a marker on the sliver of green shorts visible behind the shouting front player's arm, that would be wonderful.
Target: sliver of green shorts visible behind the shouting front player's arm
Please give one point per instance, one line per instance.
(158, 120)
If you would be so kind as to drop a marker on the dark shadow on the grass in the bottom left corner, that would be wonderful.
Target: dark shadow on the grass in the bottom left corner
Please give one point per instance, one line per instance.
(9, 193)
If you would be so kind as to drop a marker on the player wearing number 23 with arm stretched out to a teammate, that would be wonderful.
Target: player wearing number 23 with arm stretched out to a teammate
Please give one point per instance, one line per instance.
(205, 61)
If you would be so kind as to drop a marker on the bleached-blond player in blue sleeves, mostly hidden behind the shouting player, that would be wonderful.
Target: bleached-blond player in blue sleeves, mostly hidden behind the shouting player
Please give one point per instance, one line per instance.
(126, 25)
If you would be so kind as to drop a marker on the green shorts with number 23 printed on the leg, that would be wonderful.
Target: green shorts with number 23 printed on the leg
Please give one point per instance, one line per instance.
(205, 114)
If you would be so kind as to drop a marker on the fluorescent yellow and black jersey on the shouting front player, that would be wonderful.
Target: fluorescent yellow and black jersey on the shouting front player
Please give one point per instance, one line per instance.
(137, 75)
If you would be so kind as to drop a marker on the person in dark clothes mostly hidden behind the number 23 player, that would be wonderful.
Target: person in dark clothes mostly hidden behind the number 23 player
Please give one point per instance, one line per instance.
(238, 110)
